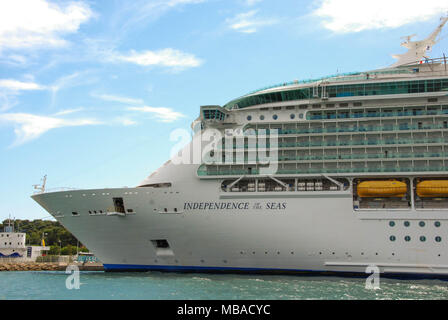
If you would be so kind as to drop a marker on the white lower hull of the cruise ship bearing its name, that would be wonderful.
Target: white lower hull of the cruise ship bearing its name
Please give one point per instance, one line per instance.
(299, 232)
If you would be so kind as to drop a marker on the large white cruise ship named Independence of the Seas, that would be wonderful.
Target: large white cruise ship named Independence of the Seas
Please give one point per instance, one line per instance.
(326, 176)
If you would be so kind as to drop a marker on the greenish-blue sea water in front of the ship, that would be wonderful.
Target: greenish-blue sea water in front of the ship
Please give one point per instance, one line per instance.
(166, 286)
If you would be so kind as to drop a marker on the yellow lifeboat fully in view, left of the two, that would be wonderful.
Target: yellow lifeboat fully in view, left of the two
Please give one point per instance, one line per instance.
(388, 188)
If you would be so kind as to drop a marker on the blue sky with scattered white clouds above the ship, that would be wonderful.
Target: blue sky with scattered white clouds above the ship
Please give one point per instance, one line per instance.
(90, 90)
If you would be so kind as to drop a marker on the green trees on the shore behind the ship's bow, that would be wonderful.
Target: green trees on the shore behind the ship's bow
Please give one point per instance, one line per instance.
(55, 235)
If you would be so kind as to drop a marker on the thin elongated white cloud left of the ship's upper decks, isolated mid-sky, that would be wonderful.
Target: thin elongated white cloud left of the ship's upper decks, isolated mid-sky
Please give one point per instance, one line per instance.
(170, 58)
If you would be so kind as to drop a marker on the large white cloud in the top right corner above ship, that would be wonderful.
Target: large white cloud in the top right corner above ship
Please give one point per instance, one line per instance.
(344, 16)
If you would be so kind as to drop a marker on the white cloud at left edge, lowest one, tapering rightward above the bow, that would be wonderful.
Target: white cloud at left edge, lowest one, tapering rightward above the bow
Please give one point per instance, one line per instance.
(29, 127)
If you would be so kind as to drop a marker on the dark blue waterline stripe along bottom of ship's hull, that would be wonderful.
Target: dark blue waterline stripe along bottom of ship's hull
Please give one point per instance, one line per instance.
(231, 270)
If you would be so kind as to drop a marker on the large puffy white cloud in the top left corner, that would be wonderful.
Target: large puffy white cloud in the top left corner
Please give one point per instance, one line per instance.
(29, 23)
